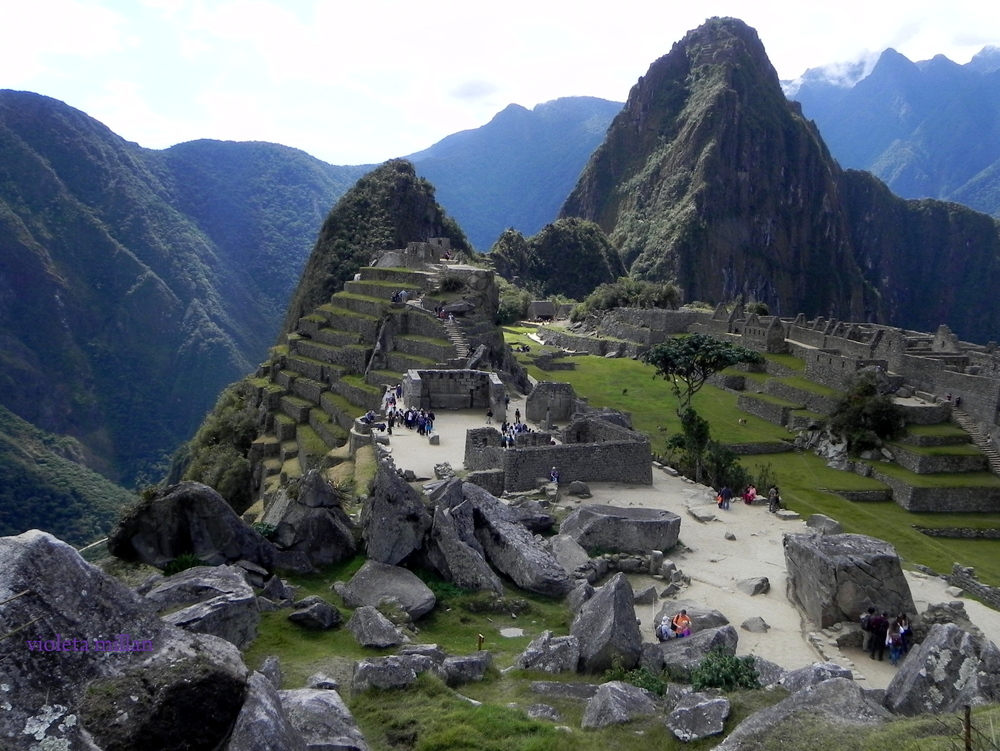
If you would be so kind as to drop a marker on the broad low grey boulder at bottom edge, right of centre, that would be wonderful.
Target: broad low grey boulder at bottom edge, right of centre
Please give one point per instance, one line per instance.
(826, 708)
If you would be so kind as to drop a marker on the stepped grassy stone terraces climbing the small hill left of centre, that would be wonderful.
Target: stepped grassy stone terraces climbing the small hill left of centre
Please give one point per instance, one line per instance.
(323, 377)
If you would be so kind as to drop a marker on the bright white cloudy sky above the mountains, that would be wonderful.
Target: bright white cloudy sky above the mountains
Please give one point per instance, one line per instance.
(362, 81)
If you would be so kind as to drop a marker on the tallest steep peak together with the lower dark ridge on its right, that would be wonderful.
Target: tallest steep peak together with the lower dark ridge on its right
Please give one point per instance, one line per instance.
(711, 178)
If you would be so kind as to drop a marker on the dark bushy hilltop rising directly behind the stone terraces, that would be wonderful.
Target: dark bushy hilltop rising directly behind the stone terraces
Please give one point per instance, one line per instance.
(386, 209)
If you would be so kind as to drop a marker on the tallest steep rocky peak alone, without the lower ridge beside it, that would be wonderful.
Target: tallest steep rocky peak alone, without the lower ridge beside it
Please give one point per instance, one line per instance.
(708, 177)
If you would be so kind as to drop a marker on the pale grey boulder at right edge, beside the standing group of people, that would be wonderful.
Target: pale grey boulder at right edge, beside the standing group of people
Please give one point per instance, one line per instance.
(949, 669)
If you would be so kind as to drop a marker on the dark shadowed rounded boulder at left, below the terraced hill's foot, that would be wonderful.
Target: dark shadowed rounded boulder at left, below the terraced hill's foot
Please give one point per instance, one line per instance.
(187, 518)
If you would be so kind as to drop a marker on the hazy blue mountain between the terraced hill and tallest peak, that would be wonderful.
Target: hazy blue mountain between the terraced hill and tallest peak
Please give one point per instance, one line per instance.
(516, 170)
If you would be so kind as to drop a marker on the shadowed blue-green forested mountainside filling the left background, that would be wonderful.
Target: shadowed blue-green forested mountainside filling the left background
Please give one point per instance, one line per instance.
(135, 284)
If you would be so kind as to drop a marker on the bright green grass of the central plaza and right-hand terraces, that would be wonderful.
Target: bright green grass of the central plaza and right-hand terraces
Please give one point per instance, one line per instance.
(807, 484)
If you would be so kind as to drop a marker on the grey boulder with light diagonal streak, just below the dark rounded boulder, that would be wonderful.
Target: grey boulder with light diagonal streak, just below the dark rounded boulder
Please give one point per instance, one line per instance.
(209, 600)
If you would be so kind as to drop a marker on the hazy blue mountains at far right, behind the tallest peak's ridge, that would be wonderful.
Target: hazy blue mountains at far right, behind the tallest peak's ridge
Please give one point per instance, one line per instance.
(929, 129)
